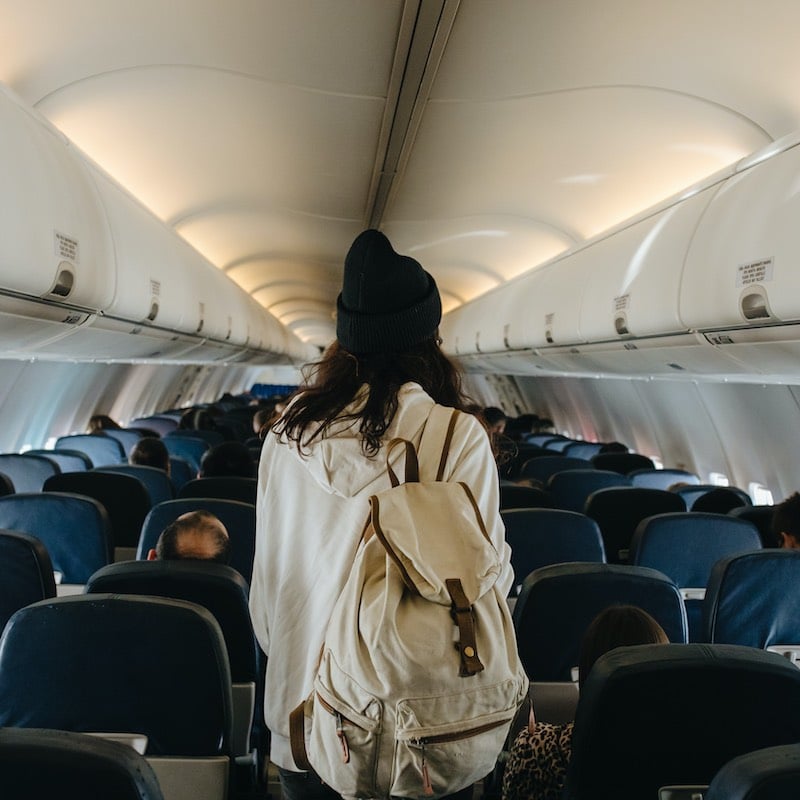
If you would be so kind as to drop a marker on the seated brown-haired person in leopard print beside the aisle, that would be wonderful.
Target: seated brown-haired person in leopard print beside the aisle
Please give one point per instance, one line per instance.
(537, 764)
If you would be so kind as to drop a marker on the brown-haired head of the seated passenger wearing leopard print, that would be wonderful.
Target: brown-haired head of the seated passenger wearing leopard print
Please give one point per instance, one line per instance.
(617, 626)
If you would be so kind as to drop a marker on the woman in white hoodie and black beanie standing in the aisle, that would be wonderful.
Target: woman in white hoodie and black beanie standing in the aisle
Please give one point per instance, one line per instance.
(325, 456)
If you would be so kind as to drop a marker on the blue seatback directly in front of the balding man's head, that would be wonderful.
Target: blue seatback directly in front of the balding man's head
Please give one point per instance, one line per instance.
(238, 518)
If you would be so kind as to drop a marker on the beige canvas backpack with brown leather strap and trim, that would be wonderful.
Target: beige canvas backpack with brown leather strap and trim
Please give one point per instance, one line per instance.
(419, 677)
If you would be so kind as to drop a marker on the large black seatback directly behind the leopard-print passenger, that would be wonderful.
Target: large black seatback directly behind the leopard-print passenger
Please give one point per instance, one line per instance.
(657, 715)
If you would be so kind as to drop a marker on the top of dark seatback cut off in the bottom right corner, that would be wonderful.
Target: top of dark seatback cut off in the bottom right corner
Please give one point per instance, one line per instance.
(772, 773)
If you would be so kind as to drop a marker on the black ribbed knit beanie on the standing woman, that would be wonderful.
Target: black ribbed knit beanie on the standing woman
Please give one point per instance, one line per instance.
(388, 302)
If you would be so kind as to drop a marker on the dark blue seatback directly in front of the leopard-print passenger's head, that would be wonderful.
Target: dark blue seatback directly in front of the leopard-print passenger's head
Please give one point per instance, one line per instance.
(557, 604)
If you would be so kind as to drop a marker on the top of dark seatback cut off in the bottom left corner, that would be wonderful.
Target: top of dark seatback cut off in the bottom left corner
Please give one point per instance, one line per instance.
(39, 763)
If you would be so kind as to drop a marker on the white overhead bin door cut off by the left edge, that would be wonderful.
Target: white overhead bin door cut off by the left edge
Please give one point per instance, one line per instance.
(51, 221)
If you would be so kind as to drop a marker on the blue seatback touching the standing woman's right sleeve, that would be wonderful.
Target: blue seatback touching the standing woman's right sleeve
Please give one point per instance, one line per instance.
(539, 537)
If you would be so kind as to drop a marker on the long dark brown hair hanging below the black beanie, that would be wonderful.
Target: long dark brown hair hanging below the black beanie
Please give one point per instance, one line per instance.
(335, 381)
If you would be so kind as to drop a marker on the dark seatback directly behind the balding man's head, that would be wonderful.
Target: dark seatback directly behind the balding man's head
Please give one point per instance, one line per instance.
(219, 588)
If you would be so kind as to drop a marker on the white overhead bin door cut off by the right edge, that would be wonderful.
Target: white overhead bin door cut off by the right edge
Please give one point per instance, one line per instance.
(745, 250)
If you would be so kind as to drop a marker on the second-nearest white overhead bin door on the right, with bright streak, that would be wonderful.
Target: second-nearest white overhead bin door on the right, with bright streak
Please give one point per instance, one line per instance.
(633, 282)
